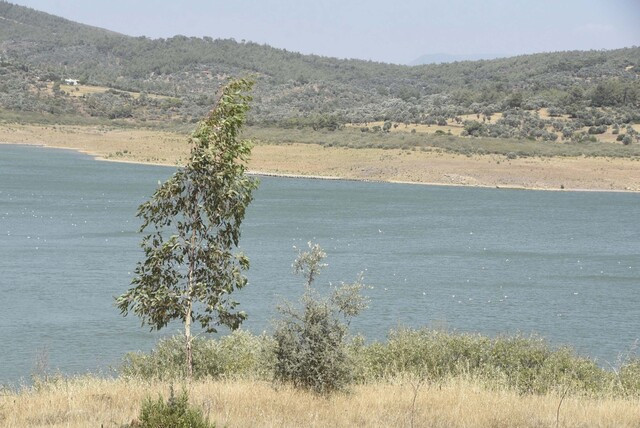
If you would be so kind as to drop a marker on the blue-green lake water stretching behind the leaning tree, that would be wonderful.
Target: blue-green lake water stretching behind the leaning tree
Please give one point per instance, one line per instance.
(564, 265)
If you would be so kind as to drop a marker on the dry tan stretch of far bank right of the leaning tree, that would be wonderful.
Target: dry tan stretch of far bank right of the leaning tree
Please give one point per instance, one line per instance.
(449, 169)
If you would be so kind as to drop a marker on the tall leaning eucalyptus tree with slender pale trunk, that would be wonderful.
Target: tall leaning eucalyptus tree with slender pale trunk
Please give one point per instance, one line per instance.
(192, 224)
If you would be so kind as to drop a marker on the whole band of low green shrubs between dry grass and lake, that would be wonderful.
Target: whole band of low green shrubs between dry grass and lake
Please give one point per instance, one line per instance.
(524, 364)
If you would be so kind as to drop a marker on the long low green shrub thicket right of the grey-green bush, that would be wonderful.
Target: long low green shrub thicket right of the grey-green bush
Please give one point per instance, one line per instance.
(527, 365)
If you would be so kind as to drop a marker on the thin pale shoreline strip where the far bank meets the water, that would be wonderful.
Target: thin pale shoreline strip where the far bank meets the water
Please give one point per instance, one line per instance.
(100, 157)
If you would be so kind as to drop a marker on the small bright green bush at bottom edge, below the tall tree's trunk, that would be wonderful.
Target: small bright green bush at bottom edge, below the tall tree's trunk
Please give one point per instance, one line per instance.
(175, 413)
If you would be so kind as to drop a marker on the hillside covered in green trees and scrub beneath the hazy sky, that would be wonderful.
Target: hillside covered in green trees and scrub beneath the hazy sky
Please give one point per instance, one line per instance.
(586, 96)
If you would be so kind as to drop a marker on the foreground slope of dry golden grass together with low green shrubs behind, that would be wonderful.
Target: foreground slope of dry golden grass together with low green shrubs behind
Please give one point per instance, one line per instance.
(418, 378)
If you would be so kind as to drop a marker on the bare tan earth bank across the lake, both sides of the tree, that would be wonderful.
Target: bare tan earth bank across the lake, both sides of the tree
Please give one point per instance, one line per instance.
(393, 165)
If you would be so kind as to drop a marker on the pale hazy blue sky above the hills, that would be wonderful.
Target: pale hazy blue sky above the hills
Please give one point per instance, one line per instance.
(391, 31)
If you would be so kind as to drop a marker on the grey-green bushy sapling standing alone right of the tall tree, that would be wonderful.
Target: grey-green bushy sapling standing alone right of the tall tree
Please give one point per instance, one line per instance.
(310, 343)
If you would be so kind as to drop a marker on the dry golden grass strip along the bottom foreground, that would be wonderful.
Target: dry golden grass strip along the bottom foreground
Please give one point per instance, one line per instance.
(244, 403)
